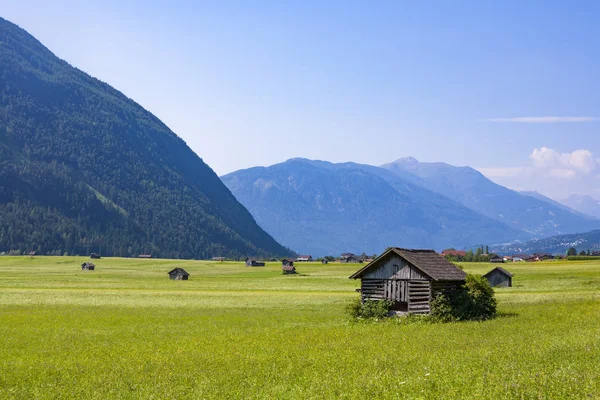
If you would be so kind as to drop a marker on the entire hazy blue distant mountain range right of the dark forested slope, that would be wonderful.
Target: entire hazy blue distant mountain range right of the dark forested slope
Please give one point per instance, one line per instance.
(408, 203)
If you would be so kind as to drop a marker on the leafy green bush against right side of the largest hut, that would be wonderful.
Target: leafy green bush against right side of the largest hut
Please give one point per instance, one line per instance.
(475, 301)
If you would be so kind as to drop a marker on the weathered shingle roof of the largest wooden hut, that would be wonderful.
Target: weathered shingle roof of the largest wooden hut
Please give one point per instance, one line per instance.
(428, 261)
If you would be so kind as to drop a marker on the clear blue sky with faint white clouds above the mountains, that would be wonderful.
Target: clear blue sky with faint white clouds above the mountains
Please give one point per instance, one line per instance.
(508, 87)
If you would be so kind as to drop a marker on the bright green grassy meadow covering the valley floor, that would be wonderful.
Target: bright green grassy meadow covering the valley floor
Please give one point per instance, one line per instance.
(127, 331)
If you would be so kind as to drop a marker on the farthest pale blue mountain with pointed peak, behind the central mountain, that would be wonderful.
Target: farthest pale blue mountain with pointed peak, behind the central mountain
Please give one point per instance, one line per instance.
(536, 217)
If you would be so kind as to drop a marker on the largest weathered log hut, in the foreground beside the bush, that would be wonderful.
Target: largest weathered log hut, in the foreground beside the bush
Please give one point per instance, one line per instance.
(410, 278)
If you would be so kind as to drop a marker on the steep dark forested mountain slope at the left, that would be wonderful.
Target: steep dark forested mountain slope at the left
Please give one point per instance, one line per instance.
(83, 165)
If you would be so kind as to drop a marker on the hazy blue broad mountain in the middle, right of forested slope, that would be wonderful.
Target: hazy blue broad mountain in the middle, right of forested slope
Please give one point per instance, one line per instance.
(323, 208)
